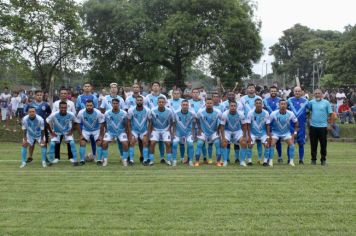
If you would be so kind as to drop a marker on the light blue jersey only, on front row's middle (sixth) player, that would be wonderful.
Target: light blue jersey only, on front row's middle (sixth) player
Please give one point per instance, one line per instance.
(161, 120)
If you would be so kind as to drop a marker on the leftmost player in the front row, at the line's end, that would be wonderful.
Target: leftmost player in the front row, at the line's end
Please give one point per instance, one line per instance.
(33, 130)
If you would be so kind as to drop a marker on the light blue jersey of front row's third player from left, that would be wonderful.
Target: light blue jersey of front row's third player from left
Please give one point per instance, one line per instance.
(90, 121)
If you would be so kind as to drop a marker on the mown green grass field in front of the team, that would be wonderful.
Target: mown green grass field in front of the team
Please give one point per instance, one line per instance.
(161, 200)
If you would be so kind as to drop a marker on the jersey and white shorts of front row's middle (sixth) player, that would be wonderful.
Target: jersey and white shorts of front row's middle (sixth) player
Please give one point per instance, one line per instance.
(161, 122)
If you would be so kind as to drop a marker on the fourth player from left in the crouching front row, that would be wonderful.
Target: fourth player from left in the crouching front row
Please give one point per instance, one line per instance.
(116, 129)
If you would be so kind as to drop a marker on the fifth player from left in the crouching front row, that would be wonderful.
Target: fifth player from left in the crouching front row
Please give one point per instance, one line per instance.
(137, 128)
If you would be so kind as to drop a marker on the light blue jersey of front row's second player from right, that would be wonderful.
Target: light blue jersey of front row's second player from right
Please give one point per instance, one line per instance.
(258, 122)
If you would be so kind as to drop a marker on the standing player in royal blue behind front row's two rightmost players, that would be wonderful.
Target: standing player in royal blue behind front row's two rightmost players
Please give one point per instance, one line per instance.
(271, 104)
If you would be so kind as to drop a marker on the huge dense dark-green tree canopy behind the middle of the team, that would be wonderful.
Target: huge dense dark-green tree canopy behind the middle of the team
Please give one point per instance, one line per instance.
(131, 36)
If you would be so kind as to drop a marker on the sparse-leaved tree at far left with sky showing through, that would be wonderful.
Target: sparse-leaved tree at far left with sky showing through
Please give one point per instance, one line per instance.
(47, 32)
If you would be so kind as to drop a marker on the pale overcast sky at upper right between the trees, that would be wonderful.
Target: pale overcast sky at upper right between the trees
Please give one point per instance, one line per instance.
(279, 15)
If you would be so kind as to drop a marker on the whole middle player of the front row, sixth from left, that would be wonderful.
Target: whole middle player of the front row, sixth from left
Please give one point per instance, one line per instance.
(160, 124)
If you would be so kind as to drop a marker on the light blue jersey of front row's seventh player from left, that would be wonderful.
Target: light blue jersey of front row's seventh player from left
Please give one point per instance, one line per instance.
(184, 122)
